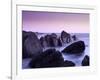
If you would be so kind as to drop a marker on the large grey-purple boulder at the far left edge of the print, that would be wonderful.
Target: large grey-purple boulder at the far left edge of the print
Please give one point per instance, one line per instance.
(31, 45)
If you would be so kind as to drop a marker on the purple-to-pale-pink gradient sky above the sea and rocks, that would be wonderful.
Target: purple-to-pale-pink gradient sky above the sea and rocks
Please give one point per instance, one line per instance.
(55, 22)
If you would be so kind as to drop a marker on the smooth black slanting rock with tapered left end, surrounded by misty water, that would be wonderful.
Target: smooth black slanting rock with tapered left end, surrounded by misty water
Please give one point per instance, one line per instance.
(75, 48)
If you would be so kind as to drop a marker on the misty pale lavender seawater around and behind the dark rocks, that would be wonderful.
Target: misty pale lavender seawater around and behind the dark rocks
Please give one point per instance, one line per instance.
(77, 59)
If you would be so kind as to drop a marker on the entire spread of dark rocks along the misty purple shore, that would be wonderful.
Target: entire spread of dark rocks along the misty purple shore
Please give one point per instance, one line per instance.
(43, 53)
